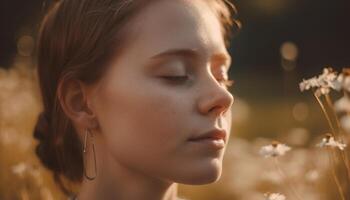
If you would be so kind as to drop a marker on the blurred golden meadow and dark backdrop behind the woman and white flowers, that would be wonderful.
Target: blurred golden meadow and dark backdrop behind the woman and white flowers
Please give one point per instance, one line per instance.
(281, 42)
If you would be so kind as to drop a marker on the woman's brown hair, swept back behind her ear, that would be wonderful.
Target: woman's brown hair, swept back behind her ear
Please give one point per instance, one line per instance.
(76, 39)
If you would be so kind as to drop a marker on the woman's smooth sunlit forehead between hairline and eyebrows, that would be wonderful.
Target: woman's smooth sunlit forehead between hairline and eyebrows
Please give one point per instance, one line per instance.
(167, 24)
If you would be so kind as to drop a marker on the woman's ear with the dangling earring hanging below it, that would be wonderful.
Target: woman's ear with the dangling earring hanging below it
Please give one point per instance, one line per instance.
(72, 95)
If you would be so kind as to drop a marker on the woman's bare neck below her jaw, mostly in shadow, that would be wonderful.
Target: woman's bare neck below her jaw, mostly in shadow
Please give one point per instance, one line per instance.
(117, 182)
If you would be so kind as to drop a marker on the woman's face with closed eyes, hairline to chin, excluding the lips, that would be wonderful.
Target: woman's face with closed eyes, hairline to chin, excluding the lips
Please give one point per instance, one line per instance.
(146, 117)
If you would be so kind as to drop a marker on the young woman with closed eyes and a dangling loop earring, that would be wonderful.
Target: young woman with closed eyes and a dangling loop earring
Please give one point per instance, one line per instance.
(135, 95)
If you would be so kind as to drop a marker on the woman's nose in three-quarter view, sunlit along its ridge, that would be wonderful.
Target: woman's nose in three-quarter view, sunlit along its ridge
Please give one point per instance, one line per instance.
(215, 99)
